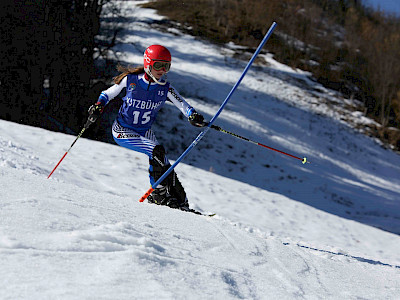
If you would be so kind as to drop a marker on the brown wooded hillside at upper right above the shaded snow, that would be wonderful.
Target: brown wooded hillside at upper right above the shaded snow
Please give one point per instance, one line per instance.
(345, 45)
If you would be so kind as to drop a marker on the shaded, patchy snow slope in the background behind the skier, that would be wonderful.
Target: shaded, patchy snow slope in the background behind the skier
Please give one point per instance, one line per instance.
(350, 175)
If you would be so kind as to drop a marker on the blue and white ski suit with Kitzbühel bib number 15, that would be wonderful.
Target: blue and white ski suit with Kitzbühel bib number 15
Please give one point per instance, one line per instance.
(132, 127)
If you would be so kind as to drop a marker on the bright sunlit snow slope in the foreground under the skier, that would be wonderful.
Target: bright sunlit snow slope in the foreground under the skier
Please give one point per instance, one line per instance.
(76, 238)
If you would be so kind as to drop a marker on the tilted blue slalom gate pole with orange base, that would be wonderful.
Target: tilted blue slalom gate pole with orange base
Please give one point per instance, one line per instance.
(201, 135)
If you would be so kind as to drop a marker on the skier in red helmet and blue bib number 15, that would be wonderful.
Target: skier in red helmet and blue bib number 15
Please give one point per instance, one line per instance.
(146, 93)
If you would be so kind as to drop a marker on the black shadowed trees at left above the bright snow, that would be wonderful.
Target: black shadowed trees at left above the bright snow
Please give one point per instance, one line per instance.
(47, 67)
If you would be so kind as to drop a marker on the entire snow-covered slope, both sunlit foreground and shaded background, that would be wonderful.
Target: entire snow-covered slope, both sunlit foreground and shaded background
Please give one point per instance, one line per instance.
(282, 229)
